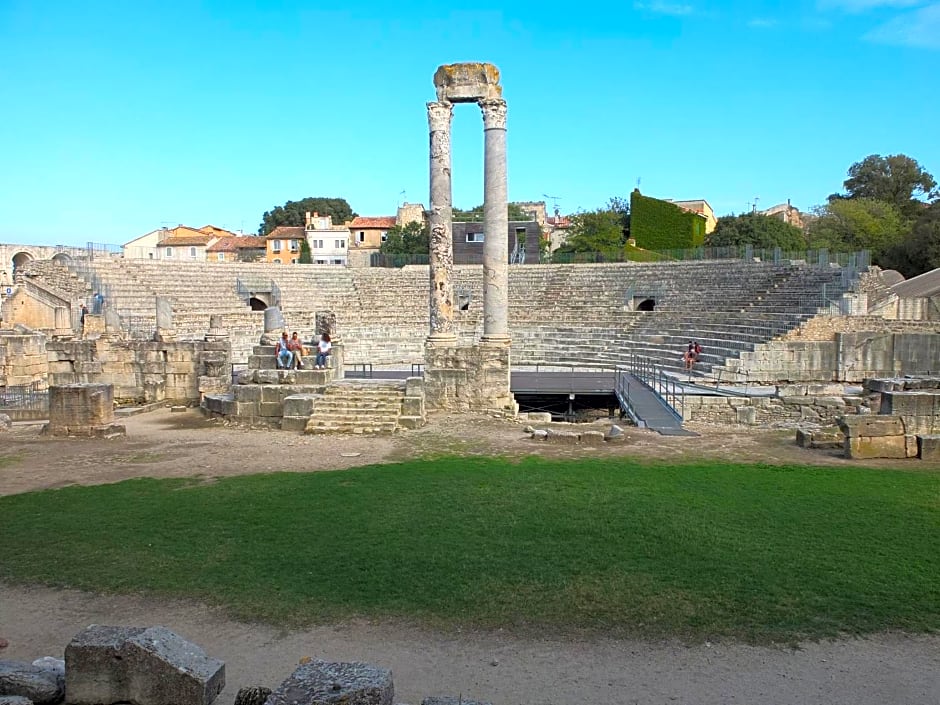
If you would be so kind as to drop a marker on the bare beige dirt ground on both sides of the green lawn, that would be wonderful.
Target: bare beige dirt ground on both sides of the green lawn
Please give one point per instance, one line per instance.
(502, 667)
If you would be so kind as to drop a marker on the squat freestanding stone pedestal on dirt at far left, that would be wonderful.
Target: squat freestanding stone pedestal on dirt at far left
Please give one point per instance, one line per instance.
(85, 410)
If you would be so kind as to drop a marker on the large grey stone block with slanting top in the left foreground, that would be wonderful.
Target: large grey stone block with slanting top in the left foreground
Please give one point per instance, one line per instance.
(141, 666)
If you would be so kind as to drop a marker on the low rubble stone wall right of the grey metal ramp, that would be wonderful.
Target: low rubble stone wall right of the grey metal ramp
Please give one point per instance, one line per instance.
(791, 405)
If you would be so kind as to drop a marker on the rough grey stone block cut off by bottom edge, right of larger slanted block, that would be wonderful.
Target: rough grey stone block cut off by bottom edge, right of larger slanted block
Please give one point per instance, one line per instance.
(324, 682)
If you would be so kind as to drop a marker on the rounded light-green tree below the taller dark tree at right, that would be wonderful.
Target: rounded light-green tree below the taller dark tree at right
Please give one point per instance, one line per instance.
(859, 224)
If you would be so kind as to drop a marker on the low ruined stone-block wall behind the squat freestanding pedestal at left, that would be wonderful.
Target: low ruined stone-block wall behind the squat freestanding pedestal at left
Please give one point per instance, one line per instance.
(143, 371)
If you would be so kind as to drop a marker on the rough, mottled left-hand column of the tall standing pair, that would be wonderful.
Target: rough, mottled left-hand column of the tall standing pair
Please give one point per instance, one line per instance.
(441, 225)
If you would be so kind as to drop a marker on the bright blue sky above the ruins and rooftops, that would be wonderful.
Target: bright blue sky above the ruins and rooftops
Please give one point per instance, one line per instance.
(120, 117)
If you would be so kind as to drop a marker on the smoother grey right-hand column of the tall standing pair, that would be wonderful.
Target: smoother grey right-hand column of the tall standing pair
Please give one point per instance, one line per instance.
(495, 223)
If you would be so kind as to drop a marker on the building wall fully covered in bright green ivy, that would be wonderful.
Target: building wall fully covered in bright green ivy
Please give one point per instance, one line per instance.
(660, 225)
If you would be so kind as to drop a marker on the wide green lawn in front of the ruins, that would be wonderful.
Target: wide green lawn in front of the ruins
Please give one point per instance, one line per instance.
(694, 551)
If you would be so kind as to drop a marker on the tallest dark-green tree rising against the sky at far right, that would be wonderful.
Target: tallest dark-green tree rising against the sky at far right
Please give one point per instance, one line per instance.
(895, 179)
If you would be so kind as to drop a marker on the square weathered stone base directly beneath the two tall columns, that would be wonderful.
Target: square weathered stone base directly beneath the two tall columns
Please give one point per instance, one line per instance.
(468, 378)
